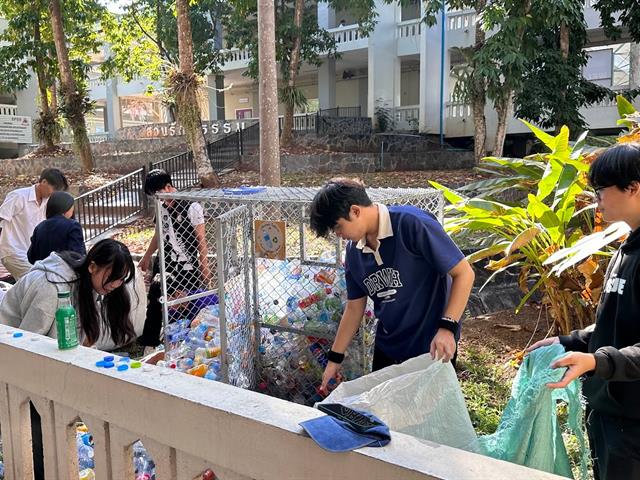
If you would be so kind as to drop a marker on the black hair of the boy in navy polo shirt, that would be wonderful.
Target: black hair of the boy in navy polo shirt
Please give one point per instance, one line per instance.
(334, 202)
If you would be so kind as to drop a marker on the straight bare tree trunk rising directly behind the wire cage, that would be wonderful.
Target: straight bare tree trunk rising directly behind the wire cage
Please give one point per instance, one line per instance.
(268, 93)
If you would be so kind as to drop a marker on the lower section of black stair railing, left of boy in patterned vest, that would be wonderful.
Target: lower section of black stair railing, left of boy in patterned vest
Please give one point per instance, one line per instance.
(111, 205)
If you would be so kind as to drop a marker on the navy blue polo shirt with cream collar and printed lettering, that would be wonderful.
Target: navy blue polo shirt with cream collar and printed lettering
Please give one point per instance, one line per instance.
(406, 278)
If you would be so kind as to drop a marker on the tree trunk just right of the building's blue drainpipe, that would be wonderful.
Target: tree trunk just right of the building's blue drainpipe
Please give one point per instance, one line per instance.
(479, 96)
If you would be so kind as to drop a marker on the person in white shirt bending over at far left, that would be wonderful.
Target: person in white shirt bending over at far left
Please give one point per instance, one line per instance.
(20, 212)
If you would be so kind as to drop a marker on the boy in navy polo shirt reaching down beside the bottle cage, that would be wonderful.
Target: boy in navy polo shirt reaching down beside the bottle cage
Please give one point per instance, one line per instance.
(401, 257)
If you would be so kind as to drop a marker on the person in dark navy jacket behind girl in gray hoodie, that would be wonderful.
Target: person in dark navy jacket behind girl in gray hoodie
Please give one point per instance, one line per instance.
(59, 232)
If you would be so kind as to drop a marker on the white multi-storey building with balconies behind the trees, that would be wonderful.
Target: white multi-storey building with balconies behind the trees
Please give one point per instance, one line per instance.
(403, 65)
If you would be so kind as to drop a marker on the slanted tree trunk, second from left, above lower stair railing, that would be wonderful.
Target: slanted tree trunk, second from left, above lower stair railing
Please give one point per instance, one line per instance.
(71, 97)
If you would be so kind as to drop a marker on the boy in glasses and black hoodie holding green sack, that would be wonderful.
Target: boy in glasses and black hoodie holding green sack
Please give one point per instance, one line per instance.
(608, 353)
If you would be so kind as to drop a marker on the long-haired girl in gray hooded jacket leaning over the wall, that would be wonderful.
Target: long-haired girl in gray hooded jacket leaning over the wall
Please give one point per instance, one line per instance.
(99, 293)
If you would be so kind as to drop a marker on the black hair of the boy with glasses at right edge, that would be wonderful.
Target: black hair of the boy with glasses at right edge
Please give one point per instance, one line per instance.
(618, 165)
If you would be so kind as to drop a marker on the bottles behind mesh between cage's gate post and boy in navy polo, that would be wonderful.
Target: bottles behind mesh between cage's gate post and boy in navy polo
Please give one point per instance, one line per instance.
(310, 301)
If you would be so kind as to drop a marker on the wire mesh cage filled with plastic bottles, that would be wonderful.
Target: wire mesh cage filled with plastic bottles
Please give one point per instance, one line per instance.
(263, 296)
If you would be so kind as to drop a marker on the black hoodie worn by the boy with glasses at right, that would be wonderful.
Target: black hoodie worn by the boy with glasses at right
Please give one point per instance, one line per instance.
(613, 388)
